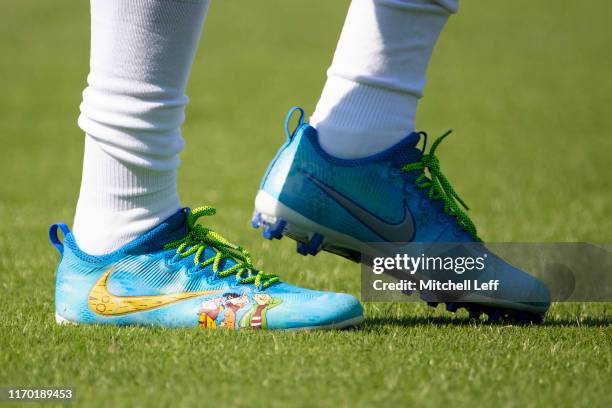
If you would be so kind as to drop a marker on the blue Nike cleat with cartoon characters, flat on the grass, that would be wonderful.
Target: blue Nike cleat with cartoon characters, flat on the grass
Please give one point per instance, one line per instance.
(182, 274)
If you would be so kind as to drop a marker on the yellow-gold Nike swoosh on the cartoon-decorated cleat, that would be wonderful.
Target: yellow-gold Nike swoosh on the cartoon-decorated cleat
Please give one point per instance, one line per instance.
(104, 303)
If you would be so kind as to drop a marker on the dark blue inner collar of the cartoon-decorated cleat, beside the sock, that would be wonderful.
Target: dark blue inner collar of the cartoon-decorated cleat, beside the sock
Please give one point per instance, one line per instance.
(171, 229)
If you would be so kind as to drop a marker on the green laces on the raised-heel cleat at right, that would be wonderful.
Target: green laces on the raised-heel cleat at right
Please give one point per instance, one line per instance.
(440, 188)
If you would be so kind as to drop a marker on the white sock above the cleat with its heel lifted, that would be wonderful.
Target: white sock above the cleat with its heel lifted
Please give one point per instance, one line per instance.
(377, 75)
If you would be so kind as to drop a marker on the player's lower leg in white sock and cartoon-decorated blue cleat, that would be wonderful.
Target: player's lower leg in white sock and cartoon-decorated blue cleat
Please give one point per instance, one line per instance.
(165, 268)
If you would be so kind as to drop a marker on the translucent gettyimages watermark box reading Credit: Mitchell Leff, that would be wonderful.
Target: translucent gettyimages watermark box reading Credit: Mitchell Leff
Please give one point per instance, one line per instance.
(517, 272)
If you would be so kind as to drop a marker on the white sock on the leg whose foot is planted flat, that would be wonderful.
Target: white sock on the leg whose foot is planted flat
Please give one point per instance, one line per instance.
(141, 57)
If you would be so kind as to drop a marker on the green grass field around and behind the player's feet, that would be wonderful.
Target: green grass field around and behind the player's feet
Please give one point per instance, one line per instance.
(527, 87)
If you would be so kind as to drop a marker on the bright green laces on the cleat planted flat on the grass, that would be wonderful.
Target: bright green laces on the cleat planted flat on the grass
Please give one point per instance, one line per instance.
(199, 238)
